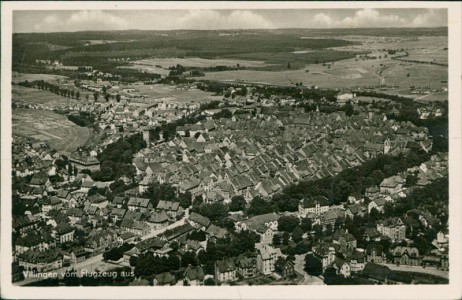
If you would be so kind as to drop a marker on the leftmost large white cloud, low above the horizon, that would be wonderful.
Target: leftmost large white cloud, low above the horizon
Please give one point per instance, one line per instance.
(82, 20)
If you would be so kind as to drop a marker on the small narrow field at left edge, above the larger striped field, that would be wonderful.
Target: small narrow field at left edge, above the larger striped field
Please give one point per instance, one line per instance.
(35, 96)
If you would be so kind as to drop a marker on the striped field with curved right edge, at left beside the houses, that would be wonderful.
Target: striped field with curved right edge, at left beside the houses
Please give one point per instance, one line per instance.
(55, 129)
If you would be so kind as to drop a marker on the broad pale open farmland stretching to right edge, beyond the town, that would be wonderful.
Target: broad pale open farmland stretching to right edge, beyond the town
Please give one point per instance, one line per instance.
(347, 73)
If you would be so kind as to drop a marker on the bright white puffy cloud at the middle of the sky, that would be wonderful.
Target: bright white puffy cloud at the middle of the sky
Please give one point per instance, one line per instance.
(209, 19)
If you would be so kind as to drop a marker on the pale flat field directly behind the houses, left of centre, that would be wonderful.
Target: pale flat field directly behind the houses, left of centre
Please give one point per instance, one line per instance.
(172, 94)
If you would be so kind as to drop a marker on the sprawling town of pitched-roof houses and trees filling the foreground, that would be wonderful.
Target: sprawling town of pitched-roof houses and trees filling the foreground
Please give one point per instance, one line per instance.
(225, 183)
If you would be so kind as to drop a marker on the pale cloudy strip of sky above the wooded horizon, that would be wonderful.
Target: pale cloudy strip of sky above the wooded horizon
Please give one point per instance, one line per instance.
(82, 20)
